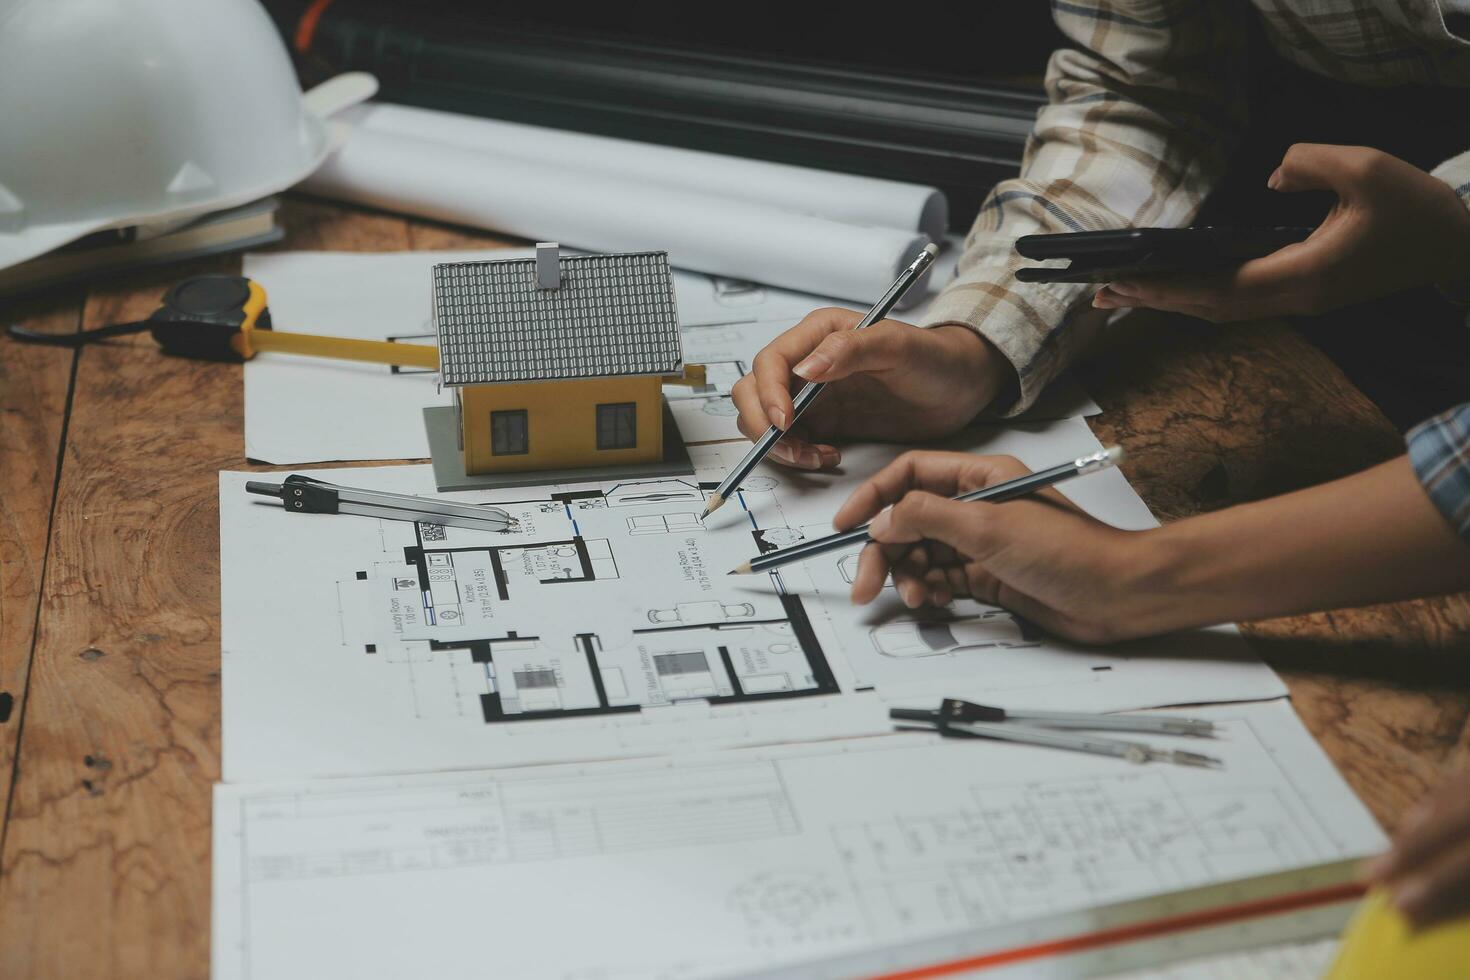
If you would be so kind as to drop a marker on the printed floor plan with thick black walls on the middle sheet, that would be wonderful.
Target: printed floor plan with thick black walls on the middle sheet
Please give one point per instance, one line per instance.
(553, 613)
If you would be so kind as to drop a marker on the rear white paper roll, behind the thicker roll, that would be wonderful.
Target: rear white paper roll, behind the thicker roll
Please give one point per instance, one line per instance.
(842, 198)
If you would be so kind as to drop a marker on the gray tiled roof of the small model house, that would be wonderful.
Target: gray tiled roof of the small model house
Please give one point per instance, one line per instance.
(612, 315)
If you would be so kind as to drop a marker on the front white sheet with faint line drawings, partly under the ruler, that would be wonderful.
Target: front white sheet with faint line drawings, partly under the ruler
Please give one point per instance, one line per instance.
(715, 863)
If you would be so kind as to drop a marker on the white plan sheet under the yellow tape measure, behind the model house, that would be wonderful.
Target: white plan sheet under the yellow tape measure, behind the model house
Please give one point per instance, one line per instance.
(370, 412)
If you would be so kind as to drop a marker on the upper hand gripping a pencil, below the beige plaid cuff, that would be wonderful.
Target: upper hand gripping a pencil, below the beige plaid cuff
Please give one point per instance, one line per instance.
(892, 381)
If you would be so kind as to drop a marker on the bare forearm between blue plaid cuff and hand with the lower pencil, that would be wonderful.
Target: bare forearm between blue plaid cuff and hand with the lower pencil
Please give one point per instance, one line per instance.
(1374, 537)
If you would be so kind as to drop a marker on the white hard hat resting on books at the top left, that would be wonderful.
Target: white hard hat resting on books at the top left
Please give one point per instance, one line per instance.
(139, 112)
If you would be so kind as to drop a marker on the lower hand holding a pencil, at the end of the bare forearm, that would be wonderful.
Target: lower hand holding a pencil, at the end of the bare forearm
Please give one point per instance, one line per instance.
(1040, 558)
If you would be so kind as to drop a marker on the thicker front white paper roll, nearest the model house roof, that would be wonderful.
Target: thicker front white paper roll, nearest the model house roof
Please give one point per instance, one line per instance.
(580, 209)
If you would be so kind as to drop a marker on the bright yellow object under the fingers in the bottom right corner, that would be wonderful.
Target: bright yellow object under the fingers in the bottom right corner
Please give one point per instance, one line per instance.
(1380, 944)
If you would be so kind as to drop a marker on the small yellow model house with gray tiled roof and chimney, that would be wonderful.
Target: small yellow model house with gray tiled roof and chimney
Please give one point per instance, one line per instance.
(559, 361)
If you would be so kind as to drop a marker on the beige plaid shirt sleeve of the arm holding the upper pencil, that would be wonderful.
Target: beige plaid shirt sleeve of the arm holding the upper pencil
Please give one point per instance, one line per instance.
(1140, 121)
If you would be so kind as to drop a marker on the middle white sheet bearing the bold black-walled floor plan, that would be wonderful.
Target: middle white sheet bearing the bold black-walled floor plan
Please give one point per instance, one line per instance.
(606, 627)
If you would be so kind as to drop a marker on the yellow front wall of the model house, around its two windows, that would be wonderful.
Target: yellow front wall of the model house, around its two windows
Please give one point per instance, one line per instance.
(562, 422)
